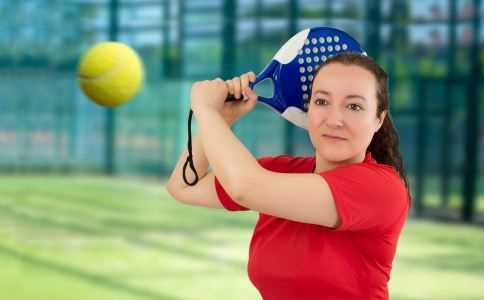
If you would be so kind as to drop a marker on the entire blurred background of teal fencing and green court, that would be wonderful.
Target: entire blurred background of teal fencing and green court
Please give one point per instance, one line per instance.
(83, 210)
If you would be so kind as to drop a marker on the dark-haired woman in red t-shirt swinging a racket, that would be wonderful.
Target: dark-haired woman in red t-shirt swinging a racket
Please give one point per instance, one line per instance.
(328, 225)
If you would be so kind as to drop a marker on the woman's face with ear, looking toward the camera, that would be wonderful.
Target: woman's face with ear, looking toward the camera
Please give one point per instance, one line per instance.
(342, 112)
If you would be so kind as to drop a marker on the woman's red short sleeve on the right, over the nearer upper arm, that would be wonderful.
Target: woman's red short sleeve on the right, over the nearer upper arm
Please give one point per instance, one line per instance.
(368, 197)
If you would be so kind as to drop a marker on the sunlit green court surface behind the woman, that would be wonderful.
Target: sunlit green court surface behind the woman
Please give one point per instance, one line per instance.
(100, 238)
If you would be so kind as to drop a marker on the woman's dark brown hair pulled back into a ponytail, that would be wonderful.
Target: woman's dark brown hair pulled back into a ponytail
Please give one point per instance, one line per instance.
(384, 146)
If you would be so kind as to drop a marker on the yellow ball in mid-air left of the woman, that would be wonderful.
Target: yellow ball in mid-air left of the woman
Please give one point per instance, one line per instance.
(110, 73)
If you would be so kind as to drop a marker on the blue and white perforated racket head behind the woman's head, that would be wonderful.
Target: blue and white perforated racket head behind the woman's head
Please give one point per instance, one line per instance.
(293, 67)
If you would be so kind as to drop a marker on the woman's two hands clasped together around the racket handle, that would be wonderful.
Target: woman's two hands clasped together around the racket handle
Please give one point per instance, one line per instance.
(211, 94)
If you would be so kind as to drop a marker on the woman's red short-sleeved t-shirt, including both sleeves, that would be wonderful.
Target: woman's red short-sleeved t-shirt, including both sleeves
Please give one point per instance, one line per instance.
(292, 260)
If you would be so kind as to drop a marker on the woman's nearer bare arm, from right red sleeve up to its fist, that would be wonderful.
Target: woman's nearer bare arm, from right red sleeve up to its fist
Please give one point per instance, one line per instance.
(298, 197)
